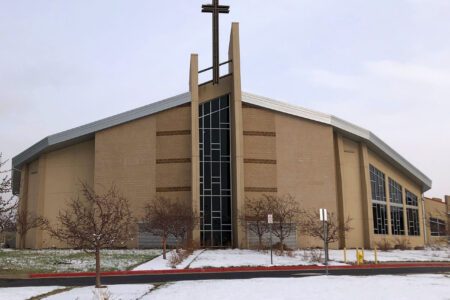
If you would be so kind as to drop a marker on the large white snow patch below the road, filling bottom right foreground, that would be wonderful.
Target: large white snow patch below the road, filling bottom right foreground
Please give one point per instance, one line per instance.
(434, 287)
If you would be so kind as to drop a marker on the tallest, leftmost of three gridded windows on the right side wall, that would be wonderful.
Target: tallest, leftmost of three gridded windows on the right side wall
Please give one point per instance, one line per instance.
(379, 208)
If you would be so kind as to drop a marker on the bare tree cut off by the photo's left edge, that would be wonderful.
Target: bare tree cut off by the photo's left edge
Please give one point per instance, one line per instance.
(8, 203)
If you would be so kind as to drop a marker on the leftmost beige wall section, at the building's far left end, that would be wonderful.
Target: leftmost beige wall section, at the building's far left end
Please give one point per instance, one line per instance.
(54, 179)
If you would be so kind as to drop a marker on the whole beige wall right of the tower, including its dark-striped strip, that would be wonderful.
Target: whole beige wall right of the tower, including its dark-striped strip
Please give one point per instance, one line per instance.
(284, 155)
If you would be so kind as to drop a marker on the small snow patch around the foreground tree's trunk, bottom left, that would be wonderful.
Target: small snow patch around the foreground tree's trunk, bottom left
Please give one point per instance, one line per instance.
(122, 292)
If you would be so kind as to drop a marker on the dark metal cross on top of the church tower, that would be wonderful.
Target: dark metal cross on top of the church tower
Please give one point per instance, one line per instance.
(216, 9)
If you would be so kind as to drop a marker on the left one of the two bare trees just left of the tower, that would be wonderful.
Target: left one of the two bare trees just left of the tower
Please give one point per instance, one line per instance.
(158, 220)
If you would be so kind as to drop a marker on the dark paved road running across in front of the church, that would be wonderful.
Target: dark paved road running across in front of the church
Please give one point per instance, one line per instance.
(158, 278)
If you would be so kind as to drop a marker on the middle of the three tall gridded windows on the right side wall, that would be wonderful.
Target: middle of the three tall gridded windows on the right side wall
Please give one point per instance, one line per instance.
(396, 202)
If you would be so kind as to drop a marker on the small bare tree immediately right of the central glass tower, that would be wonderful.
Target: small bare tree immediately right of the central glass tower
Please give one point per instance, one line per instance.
(254, 218)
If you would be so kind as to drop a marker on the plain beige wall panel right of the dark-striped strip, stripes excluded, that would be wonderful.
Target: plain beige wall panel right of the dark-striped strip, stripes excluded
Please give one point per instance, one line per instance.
(306, 165)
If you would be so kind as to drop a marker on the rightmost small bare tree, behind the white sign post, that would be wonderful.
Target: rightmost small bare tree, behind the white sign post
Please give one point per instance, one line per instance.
(312, 226)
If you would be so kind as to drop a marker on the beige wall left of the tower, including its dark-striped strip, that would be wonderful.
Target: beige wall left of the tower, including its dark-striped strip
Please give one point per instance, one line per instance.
(146, 158)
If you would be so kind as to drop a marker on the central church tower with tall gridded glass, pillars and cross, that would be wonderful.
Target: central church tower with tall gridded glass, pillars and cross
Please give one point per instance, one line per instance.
(217, 138)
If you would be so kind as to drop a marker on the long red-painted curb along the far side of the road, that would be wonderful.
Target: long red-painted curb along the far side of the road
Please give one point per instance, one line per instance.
(238, 269)
